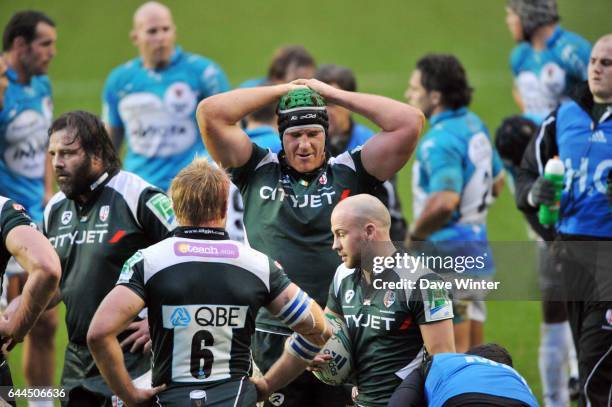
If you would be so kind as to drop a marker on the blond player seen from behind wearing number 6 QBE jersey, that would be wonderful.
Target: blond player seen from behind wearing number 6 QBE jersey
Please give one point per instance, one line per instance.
(203, 292)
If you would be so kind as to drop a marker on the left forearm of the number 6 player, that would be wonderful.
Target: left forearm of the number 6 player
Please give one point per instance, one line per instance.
(109, 359)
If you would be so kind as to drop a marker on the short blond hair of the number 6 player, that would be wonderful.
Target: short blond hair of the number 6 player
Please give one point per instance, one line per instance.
(199, 193)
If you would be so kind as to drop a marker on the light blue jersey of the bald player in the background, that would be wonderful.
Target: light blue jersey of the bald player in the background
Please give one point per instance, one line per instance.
(156, 108)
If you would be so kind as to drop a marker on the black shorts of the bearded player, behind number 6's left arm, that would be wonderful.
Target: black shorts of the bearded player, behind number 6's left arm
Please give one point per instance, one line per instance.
(82, 379)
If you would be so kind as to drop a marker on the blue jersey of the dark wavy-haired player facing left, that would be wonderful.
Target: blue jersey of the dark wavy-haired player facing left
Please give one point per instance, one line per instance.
(456, 155)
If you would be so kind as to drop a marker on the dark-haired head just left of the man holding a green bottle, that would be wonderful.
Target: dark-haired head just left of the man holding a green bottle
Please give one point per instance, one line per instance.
(513, 136)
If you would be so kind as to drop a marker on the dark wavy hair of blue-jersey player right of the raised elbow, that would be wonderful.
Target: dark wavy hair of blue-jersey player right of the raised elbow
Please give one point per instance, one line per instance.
(445, 74)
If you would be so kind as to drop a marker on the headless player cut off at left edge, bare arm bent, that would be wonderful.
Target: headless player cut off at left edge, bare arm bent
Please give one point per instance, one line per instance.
(37, 257)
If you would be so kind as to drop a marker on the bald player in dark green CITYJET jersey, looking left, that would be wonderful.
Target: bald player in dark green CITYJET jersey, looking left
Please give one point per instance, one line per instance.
(390, 329)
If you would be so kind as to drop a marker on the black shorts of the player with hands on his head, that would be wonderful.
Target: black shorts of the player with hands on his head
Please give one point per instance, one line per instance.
(306, 390)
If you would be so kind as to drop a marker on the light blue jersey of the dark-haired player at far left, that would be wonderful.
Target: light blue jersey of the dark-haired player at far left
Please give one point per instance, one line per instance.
(24, 121)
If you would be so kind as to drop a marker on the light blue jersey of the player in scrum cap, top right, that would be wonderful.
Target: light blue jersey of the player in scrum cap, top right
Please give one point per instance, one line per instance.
(544, 77)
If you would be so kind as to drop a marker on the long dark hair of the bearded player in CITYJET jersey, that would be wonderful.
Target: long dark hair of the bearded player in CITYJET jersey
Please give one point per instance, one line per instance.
(92, 134)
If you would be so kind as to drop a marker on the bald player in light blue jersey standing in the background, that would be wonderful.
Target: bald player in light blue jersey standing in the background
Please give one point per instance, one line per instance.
(151, 100)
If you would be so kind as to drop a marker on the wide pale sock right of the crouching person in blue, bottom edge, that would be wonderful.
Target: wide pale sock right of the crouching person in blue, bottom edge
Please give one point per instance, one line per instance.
(552, 363)
